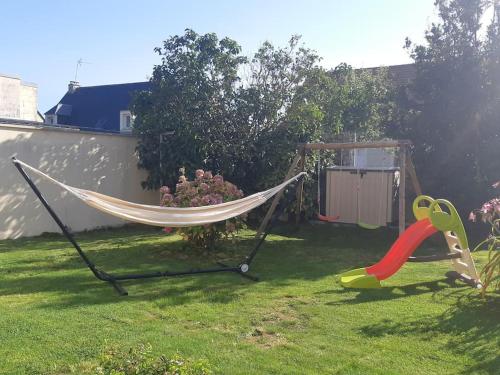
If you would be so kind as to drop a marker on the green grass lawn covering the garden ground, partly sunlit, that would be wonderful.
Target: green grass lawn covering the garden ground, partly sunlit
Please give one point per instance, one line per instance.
(296, 320)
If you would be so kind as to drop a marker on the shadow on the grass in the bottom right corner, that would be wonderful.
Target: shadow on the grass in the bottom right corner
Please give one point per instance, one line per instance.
(472, 323)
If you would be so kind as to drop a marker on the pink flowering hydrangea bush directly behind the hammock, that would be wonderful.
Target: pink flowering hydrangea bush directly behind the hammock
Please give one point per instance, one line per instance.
(204, 190)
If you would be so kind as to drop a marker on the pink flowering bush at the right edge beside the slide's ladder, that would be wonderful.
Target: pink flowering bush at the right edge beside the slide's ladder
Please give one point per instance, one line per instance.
(490, 213)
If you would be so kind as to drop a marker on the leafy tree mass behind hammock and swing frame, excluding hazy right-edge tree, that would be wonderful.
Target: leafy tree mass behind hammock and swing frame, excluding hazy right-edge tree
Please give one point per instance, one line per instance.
(243, 118)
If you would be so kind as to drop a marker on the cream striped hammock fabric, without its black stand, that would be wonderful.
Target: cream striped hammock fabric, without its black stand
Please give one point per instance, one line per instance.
(167, 216)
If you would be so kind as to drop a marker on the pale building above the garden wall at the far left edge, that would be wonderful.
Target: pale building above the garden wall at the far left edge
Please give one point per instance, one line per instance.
(18, 99)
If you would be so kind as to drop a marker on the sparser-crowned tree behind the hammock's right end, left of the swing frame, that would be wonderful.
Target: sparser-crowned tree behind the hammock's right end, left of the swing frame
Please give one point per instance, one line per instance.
(265, 110)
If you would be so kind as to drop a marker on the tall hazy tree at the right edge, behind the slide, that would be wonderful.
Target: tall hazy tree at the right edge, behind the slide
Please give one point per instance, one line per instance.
(451, 110)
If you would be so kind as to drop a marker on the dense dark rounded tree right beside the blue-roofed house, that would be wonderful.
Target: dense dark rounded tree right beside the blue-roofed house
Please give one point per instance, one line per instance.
(192, 94)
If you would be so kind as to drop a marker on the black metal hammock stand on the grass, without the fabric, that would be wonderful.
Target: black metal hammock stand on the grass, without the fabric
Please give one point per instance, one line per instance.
(241, 268)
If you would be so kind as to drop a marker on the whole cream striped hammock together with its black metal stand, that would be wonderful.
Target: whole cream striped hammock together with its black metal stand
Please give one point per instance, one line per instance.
(159, 216)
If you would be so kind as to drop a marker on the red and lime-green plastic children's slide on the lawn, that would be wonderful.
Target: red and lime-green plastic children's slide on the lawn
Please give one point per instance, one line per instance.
(430, 219)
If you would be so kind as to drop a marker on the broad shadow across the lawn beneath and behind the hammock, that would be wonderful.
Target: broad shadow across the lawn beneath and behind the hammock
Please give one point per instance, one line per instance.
(48, 264)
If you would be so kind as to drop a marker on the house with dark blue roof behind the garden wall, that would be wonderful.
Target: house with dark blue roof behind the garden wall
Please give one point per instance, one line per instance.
(99, 108)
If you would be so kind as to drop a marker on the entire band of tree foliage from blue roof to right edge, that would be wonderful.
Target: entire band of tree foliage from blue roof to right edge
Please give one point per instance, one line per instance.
(243, 117)
